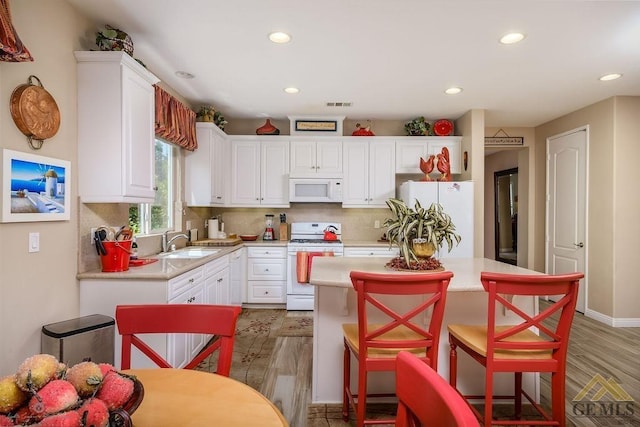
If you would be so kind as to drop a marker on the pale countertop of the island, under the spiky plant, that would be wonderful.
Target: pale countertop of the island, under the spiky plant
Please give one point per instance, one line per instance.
(334, 271)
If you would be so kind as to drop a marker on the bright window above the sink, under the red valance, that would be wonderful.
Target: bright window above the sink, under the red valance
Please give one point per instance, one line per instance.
(157, 217)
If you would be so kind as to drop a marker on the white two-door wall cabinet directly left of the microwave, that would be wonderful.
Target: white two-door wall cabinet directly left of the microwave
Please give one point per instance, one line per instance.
(259, 173)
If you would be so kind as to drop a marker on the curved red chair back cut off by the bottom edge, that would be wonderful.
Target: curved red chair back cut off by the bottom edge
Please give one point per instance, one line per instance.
(426, 399)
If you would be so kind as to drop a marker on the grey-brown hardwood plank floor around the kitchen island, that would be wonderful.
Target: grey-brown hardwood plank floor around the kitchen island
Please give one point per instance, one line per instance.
(594, 349)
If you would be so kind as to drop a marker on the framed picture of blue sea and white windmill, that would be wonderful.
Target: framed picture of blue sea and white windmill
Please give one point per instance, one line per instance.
(35, 188)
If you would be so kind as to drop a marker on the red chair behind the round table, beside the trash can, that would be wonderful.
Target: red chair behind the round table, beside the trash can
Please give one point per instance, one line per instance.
(219, 320)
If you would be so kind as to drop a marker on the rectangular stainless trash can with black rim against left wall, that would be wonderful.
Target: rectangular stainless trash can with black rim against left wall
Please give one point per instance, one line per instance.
(72, 341)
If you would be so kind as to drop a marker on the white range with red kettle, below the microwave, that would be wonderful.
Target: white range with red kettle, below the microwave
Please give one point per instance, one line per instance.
(308, 237)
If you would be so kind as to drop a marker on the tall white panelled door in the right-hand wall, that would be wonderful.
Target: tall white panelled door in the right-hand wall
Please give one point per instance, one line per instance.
(566, 245)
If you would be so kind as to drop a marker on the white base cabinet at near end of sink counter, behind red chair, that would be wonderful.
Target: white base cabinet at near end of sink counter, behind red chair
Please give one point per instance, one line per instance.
(100, 296)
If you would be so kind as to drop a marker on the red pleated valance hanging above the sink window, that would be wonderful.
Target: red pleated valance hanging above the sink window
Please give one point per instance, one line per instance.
(175, 122)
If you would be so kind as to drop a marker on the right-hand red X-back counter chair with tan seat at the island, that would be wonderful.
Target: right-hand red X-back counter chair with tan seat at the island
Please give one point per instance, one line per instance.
(517, 348)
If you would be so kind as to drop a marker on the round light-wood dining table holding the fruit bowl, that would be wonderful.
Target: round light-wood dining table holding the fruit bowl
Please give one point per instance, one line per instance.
(188, 398)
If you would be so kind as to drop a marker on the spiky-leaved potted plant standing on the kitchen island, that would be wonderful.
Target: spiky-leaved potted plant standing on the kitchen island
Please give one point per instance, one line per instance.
(419, 232)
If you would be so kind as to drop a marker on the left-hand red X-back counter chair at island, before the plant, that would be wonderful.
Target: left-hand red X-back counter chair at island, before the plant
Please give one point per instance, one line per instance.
(375, 345)
